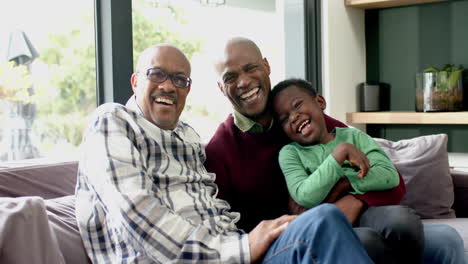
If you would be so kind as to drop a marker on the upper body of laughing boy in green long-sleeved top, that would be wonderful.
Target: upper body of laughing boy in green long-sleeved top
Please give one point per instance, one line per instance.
(317, 160)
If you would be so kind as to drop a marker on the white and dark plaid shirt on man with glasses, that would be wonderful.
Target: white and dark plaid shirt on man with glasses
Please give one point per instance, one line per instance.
(144, 196)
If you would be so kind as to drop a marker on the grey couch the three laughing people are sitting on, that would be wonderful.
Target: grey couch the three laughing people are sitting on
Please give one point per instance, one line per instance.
(439, 195)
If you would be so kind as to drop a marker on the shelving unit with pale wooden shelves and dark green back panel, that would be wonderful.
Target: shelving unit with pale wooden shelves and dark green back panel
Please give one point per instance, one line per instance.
(398, 33)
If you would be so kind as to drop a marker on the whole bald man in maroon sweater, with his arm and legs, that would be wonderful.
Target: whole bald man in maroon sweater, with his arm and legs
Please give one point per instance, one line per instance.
(243, 154)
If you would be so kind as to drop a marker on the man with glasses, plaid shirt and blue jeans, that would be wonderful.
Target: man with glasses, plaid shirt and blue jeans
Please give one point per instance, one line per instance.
(144, 196)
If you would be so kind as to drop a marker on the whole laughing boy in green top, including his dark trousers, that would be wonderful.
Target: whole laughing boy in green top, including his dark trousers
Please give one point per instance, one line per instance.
(325, 167)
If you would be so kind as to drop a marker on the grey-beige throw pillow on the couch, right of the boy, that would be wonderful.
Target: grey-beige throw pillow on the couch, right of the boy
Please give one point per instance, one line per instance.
(423, 164)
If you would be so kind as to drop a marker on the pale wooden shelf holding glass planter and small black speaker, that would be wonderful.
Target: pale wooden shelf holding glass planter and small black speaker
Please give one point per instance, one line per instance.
(446, 118)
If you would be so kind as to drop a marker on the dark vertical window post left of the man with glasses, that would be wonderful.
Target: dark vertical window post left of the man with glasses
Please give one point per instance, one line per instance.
(114, 50)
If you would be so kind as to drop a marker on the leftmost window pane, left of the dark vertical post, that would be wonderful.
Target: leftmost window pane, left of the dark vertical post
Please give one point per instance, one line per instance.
(47, 77)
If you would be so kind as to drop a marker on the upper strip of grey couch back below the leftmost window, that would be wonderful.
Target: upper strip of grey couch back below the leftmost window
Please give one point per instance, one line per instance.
(48, 181)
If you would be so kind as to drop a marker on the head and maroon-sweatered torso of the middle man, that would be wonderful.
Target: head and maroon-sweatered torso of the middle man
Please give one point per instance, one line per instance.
(243, 153)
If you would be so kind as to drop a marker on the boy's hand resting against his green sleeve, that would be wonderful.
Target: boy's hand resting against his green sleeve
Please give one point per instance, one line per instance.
(355, 157)
